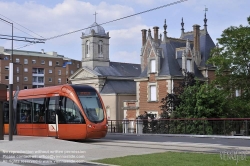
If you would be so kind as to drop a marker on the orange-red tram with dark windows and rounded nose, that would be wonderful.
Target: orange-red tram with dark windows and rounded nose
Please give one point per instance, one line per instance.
(71, 112)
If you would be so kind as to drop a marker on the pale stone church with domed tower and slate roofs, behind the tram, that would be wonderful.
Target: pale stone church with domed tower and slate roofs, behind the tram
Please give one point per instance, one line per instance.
(113, 80)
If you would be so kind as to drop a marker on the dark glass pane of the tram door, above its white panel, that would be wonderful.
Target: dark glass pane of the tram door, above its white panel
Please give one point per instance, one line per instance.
(53, 108)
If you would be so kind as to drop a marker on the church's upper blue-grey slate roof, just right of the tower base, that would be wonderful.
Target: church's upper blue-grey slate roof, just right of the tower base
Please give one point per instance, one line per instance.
(118, 69)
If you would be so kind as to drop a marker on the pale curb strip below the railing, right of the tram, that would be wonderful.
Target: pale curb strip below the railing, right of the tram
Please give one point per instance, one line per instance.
(183, 135)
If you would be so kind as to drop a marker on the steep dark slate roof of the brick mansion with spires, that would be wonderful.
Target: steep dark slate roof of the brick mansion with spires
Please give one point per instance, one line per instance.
(170, 66)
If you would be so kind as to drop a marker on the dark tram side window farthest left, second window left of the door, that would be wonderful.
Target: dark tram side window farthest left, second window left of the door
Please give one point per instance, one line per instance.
(24, 111)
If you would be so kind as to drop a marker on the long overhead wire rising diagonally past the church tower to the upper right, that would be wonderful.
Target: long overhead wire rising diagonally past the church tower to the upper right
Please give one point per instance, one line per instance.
(132, 15)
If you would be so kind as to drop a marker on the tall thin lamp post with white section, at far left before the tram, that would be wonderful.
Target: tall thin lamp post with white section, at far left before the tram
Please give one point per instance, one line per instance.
(10, 88)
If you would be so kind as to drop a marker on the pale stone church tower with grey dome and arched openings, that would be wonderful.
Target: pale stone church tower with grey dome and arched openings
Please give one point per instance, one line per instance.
(95, 47)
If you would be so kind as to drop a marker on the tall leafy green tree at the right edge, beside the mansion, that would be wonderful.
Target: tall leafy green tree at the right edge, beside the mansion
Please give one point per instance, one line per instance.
(232, 59)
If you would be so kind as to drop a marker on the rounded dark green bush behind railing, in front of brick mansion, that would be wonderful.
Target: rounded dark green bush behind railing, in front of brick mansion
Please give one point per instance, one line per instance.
(202, 101)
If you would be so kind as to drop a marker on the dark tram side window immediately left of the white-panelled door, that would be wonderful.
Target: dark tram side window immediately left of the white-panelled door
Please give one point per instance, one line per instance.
(39, 110)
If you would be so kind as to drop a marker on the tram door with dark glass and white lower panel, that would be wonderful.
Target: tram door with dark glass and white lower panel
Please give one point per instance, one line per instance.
(52, 115)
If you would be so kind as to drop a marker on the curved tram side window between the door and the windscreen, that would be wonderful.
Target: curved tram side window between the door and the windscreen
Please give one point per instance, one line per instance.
(70, 111)
